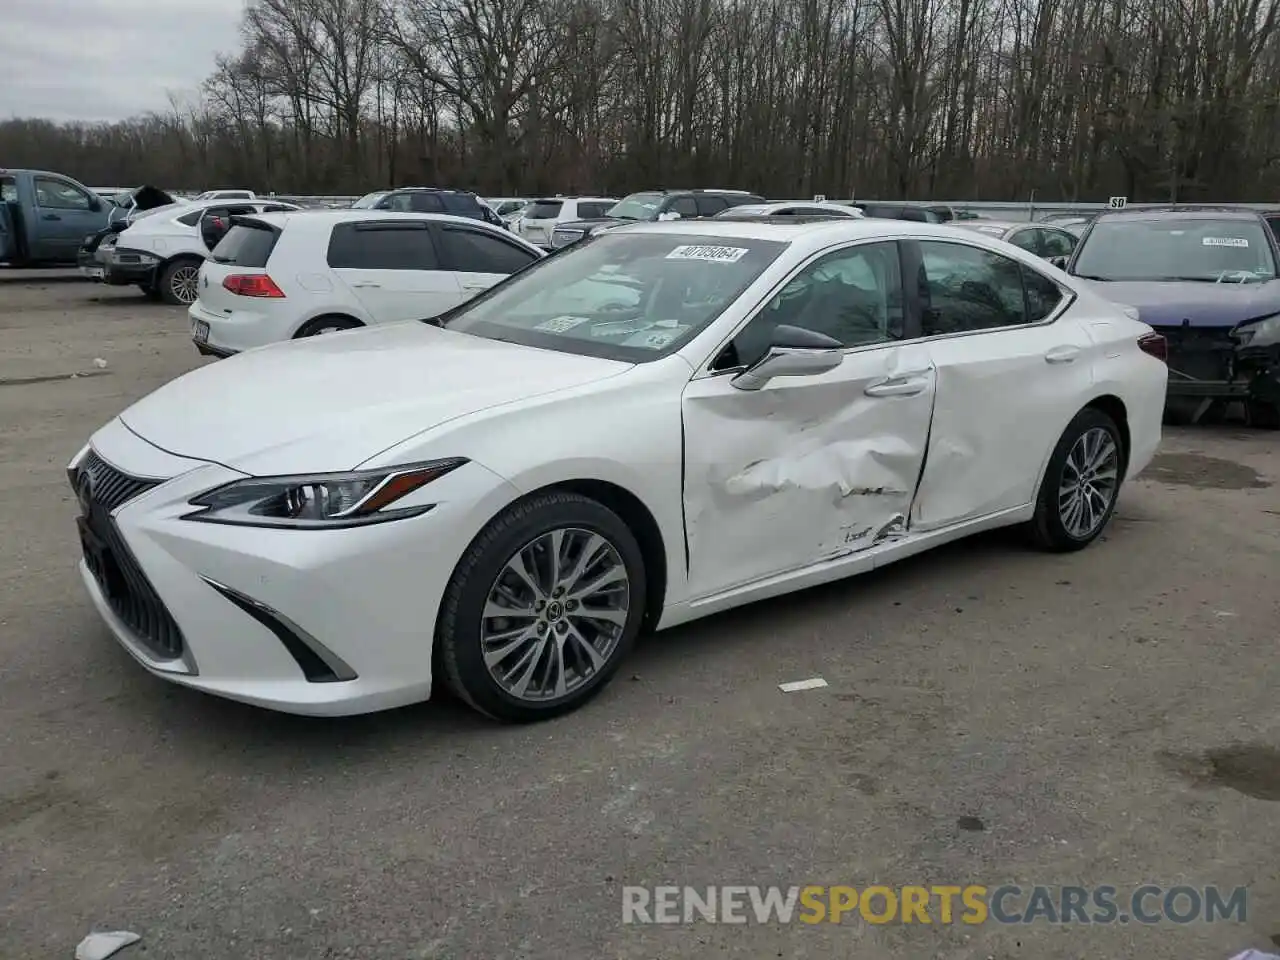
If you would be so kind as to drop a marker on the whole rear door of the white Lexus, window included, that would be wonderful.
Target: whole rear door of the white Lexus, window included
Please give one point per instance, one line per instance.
(1013, 369)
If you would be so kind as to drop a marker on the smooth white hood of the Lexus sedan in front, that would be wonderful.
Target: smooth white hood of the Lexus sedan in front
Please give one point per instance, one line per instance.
(331, 403)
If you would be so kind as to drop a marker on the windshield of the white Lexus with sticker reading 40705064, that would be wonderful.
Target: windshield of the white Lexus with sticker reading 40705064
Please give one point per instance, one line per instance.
(632, 296)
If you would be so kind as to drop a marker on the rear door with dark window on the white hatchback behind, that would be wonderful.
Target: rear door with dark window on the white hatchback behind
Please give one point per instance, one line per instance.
(394, 269)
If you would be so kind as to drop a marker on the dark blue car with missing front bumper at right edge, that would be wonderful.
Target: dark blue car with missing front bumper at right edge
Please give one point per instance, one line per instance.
(1206, 280)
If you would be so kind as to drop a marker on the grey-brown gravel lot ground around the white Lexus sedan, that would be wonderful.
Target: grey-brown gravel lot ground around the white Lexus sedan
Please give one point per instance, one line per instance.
(994, 716)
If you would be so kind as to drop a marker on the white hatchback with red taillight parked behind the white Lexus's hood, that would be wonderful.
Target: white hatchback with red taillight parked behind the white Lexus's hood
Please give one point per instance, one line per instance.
(280, 277)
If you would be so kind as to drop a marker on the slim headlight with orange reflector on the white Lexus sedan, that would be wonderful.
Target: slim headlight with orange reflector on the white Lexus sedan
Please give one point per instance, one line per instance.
(322, 501)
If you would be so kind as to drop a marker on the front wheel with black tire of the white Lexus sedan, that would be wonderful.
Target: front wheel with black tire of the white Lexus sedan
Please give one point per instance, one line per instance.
(557, 639)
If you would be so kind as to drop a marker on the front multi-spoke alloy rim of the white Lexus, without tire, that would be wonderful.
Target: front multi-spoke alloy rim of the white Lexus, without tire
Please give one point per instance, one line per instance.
(555, 615)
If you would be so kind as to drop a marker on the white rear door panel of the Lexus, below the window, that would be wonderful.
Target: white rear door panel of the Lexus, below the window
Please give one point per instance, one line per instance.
(1004, 399)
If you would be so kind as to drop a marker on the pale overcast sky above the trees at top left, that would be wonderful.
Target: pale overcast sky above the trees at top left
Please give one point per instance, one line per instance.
(108, 60)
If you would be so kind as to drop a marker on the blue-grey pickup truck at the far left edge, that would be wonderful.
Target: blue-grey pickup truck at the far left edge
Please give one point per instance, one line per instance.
(45, 217)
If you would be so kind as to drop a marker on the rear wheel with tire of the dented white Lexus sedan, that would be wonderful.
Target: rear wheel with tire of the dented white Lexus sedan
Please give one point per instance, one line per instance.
(1077, 501)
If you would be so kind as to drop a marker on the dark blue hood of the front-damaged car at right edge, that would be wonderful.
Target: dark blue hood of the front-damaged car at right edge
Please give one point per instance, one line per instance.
(1180, 304)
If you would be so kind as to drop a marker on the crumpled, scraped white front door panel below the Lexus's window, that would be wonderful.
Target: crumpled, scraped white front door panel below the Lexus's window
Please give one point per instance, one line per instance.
(806, 469)
